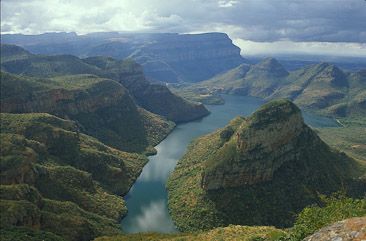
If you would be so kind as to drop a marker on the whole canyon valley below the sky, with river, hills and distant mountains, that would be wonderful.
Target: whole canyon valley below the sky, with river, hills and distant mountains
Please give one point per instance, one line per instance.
(117, 136)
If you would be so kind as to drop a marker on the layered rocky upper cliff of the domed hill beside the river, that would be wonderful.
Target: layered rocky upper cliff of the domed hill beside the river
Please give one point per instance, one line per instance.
(270, 137)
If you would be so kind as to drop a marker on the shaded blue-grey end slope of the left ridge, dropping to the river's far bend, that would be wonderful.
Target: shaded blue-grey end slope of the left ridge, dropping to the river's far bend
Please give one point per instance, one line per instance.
(153, 97)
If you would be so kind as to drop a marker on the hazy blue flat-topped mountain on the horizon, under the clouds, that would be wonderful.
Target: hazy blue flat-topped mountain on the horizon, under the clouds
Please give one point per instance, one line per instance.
(166, 57)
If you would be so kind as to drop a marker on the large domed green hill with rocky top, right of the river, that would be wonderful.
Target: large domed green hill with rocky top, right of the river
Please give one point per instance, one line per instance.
(259, 170)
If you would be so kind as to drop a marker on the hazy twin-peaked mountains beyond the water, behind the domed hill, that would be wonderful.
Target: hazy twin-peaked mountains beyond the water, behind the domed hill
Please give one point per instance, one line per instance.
(320, 87)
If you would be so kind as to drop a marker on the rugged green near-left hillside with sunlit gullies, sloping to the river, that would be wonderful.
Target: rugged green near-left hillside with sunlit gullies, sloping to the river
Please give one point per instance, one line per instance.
(71, 194)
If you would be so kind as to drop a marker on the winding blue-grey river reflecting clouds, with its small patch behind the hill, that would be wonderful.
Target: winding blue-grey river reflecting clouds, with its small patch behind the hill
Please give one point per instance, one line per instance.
(147, 199)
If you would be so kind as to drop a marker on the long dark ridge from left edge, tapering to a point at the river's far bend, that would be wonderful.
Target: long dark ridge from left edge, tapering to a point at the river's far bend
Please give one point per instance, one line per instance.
(153, 97)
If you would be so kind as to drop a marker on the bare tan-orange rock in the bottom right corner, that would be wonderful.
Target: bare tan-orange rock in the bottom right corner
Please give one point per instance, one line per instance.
(350, 229)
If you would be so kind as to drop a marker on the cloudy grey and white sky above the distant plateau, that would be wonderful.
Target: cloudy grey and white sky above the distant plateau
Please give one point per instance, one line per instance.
(330, 27)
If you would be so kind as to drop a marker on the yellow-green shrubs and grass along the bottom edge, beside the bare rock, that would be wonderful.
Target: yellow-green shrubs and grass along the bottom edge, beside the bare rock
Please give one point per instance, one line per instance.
(330, 209)
